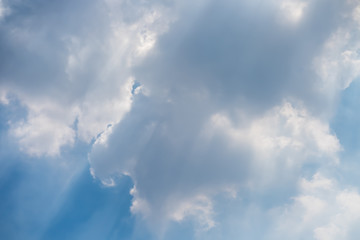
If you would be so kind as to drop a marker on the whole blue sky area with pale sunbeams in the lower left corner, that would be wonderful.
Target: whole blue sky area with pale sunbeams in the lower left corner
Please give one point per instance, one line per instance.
(57, 198)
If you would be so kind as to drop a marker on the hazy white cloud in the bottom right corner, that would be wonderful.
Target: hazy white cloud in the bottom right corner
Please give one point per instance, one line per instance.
(322, 211)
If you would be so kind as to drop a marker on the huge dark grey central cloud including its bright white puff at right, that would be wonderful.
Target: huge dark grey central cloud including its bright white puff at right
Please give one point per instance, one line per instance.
(225, 109)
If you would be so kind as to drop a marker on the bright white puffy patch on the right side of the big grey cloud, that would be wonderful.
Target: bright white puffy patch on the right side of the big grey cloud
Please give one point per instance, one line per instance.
(282, 127)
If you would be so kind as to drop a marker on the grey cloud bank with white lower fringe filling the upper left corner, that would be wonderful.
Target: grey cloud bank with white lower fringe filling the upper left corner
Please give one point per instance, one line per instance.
(71, 71)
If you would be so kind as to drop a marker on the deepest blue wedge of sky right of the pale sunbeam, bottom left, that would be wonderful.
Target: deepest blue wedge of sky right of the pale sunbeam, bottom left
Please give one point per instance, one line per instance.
(92, 211)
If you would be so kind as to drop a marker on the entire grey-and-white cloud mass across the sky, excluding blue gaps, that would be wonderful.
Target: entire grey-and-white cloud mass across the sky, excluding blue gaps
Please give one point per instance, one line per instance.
(193, 102)
